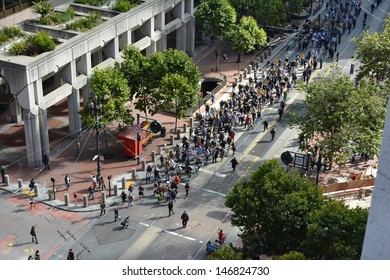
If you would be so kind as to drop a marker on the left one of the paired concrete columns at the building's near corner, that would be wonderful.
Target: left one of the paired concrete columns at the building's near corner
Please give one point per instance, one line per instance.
(33, 139)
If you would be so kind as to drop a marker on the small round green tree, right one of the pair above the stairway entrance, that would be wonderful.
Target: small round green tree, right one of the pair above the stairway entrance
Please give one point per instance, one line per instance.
(246, 36)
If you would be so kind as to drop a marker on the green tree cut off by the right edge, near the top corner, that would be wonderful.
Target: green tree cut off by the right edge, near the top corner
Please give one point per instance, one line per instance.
(373, 50)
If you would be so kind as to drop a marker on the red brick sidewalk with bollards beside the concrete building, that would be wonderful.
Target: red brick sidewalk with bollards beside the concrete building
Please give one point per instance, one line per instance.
(80, 170)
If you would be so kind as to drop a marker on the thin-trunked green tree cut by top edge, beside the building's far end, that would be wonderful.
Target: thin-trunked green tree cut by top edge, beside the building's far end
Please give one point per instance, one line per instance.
(217, 18)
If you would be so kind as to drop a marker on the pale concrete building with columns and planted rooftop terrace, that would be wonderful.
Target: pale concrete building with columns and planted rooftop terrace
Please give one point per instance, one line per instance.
(36, 83)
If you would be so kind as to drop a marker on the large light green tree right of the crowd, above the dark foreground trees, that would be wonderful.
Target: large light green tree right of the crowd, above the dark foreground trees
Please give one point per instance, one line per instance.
(339, 116)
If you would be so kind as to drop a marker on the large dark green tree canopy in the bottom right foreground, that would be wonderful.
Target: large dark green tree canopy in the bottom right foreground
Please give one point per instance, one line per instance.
(282, 213)
